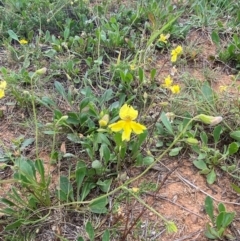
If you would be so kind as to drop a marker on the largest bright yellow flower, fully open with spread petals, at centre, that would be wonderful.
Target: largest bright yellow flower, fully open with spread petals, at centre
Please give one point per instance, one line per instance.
(127, 123)
